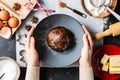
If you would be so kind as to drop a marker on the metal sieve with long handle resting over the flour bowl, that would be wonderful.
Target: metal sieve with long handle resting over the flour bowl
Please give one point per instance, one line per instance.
(94, 3)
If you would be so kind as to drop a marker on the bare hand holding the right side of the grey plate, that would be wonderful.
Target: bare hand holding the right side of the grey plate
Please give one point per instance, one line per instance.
(86, 52)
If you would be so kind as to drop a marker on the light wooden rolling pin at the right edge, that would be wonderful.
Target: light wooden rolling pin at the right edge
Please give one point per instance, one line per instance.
(113, 30)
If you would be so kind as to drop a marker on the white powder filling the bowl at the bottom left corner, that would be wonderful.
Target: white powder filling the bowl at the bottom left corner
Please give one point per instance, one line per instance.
(9, 68)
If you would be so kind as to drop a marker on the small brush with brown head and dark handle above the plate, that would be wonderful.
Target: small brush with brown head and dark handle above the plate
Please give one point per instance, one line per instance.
(61, 4)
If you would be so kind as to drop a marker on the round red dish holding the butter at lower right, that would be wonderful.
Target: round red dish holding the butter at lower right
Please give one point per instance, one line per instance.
(97, 66)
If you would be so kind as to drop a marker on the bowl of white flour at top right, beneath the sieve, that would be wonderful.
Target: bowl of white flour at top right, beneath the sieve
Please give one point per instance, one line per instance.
(101, 11)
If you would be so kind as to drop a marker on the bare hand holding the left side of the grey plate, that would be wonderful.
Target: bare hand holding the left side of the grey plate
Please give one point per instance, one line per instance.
(32, 54)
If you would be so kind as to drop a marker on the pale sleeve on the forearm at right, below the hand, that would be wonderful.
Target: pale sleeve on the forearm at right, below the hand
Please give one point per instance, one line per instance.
(86, 74)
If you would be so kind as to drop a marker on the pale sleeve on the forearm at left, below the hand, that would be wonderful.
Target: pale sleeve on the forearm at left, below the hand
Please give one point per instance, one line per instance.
(32, 73)
